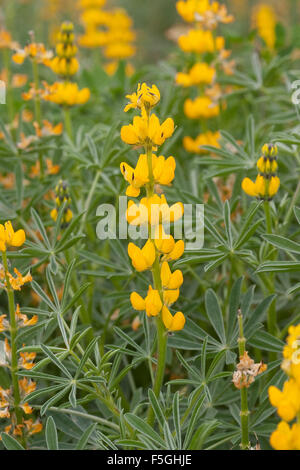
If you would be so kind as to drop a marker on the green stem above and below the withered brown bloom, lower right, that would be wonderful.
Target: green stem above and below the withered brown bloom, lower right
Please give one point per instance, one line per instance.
(244, 393)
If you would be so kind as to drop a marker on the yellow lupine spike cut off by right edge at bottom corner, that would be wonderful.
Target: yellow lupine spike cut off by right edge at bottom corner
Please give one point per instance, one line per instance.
(287, 400)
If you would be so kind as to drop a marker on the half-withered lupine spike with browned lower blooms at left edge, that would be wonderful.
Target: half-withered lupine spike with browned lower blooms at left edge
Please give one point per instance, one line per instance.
(13, 405)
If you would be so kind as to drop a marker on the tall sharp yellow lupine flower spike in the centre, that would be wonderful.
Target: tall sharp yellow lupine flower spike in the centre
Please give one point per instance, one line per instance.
(153, 211)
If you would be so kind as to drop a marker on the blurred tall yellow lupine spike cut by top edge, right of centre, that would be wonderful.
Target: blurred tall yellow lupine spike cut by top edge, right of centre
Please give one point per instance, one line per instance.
(206, 51)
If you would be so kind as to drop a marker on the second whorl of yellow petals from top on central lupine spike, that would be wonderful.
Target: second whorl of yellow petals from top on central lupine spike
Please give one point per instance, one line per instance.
(143, 131)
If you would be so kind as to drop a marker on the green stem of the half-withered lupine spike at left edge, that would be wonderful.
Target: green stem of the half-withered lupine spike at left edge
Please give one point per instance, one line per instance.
(13, 340)
